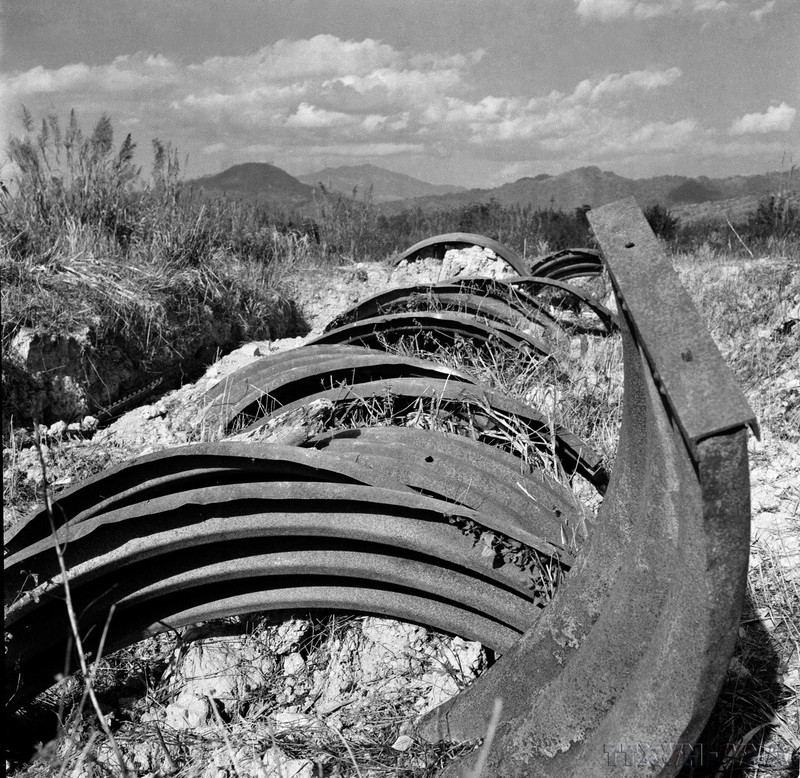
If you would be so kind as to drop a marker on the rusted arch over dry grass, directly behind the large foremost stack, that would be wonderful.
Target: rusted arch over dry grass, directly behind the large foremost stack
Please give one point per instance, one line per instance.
(466, 402)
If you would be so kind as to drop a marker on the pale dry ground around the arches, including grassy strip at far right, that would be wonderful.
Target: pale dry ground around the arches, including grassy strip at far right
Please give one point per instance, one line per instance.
(338, 693)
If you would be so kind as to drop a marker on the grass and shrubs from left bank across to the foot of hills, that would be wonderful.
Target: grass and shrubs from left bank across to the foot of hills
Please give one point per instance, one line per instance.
(114, 280)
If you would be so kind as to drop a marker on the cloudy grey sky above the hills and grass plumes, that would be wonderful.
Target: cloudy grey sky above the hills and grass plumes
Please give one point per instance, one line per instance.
(466, 92)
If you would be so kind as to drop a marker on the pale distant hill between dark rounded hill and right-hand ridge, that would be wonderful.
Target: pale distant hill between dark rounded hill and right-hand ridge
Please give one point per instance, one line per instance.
(386, 185)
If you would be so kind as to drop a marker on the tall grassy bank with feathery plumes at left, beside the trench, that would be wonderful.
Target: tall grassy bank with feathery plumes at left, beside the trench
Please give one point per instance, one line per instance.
(155, 280)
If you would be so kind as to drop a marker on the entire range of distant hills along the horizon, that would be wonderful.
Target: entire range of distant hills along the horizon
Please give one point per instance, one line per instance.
(566, 191)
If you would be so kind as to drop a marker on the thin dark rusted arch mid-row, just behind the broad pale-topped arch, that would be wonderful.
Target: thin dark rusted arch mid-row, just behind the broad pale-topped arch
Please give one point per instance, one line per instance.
(435, 329)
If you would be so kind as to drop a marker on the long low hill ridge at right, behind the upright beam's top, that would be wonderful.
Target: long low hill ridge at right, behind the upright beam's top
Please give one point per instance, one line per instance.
(595, 187)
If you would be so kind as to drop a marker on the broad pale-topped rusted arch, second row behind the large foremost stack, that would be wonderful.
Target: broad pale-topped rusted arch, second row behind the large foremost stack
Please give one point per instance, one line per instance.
(280, 379)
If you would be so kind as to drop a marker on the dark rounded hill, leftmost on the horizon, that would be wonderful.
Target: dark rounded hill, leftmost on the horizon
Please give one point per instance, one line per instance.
(256, 180)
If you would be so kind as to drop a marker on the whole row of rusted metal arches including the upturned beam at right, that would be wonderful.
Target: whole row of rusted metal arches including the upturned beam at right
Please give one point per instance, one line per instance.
(633, 648)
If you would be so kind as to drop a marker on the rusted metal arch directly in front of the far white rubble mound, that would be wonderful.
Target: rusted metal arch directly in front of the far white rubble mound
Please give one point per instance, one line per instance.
(476, 296)
